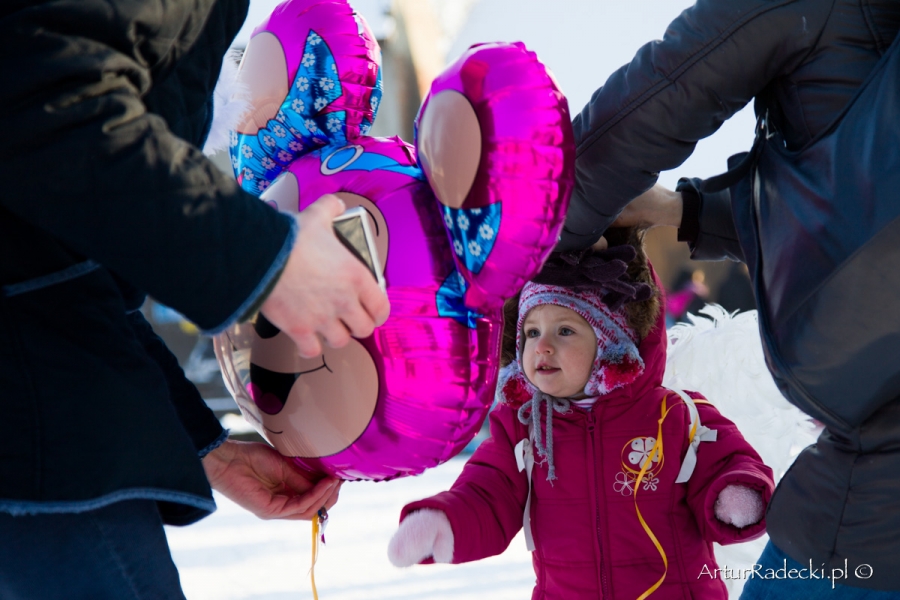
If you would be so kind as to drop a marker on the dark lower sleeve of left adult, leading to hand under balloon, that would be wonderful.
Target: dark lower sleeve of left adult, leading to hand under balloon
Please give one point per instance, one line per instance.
(196, 417)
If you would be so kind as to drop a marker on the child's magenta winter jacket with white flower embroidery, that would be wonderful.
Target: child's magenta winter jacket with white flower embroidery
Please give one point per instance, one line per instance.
(589, 542)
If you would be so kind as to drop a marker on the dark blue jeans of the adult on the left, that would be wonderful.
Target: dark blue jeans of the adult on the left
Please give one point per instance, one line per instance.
(118, 552)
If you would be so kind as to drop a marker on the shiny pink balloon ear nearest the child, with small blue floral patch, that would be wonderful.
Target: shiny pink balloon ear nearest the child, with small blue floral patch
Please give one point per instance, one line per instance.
(495, 141)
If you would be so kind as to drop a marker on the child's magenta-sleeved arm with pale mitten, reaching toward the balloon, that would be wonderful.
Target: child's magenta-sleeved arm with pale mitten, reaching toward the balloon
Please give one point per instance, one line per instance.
(479, 515)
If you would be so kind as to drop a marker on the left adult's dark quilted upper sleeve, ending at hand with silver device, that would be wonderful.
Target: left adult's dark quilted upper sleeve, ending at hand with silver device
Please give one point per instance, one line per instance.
(87, 162)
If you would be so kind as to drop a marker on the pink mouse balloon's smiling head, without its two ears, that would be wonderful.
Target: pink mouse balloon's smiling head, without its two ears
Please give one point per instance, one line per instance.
(410, 396)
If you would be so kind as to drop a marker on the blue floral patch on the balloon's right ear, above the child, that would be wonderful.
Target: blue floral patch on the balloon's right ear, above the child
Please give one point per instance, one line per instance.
(473, 232)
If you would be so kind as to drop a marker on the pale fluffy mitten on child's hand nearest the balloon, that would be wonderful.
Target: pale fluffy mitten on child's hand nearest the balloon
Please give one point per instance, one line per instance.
(422, 534)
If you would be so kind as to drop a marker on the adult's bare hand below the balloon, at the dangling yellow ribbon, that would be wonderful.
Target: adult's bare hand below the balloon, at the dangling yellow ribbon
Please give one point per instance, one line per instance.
(258, 478)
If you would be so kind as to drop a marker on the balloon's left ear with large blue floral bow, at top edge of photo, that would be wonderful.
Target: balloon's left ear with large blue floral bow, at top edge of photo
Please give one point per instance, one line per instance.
(313, 72)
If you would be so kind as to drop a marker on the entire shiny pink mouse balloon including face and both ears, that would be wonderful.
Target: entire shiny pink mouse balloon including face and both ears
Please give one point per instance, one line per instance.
(410, 396)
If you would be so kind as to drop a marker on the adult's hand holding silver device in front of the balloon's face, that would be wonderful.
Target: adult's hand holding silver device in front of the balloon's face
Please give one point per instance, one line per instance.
(324, 292)
